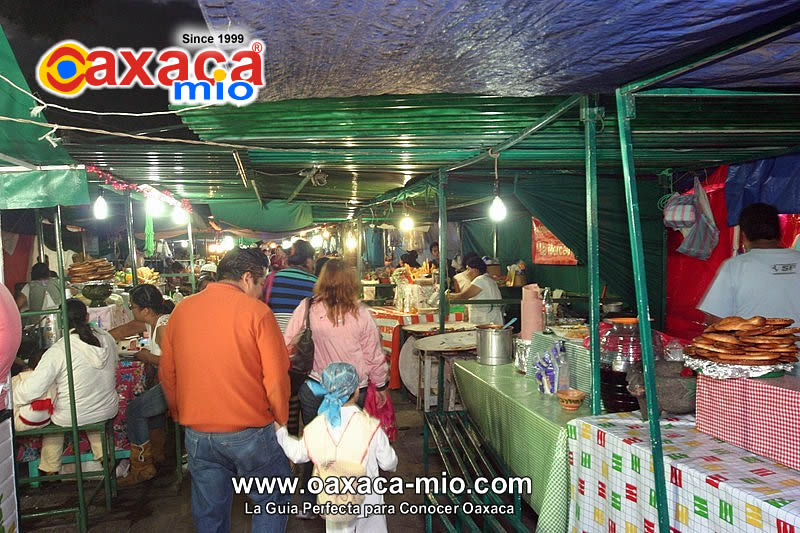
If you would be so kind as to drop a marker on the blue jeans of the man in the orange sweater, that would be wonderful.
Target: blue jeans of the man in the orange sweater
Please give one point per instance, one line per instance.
(215, 458)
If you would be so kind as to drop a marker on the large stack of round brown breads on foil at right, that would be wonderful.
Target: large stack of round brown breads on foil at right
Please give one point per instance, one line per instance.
(744, 347)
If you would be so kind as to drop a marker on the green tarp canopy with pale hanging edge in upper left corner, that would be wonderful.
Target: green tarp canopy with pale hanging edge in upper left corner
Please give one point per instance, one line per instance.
(34, 188)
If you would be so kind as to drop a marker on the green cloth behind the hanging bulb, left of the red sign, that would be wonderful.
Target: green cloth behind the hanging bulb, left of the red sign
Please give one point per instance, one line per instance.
(513, 239)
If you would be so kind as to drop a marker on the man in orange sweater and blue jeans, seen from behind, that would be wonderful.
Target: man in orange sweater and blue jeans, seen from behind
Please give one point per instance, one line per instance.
(224, 370)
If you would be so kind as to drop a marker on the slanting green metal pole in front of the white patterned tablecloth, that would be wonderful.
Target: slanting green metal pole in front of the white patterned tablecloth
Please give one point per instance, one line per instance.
(625, 112)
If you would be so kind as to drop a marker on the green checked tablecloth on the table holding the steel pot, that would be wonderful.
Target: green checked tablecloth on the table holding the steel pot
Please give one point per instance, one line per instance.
(527, 429)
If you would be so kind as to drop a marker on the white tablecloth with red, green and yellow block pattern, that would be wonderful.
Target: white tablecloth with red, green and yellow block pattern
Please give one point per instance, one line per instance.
(711, 485)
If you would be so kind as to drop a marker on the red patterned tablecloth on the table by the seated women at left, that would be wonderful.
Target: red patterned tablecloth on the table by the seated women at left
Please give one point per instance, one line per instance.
(130, 383)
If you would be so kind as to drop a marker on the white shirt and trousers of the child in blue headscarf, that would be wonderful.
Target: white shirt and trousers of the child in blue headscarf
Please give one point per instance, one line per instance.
(380, 455)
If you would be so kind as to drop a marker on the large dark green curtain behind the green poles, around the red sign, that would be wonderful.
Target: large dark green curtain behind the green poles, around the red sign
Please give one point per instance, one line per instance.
(560, 203)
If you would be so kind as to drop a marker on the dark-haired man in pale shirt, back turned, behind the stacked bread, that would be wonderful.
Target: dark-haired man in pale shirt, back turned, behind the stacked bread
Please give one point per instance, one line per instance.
(764, 281)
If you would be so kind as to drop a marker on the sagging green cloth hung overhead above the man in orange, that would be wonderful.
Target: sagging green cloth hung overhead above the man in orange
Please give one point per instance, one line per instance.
(275, 216)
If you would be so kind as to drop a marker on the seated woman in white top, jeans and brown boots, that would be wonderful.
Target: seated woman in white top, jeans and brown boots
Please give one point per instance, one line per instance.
(145, 414)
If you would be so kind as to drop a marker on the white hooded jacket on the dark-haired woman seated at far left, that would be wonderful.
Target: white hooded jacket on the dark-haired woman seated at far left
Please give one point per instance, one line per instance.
(94, 371)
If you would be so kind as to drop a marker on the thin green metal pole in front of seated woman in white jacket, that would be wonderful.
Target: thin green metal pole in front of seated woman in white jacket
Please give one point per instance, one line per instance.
(82, 518)
